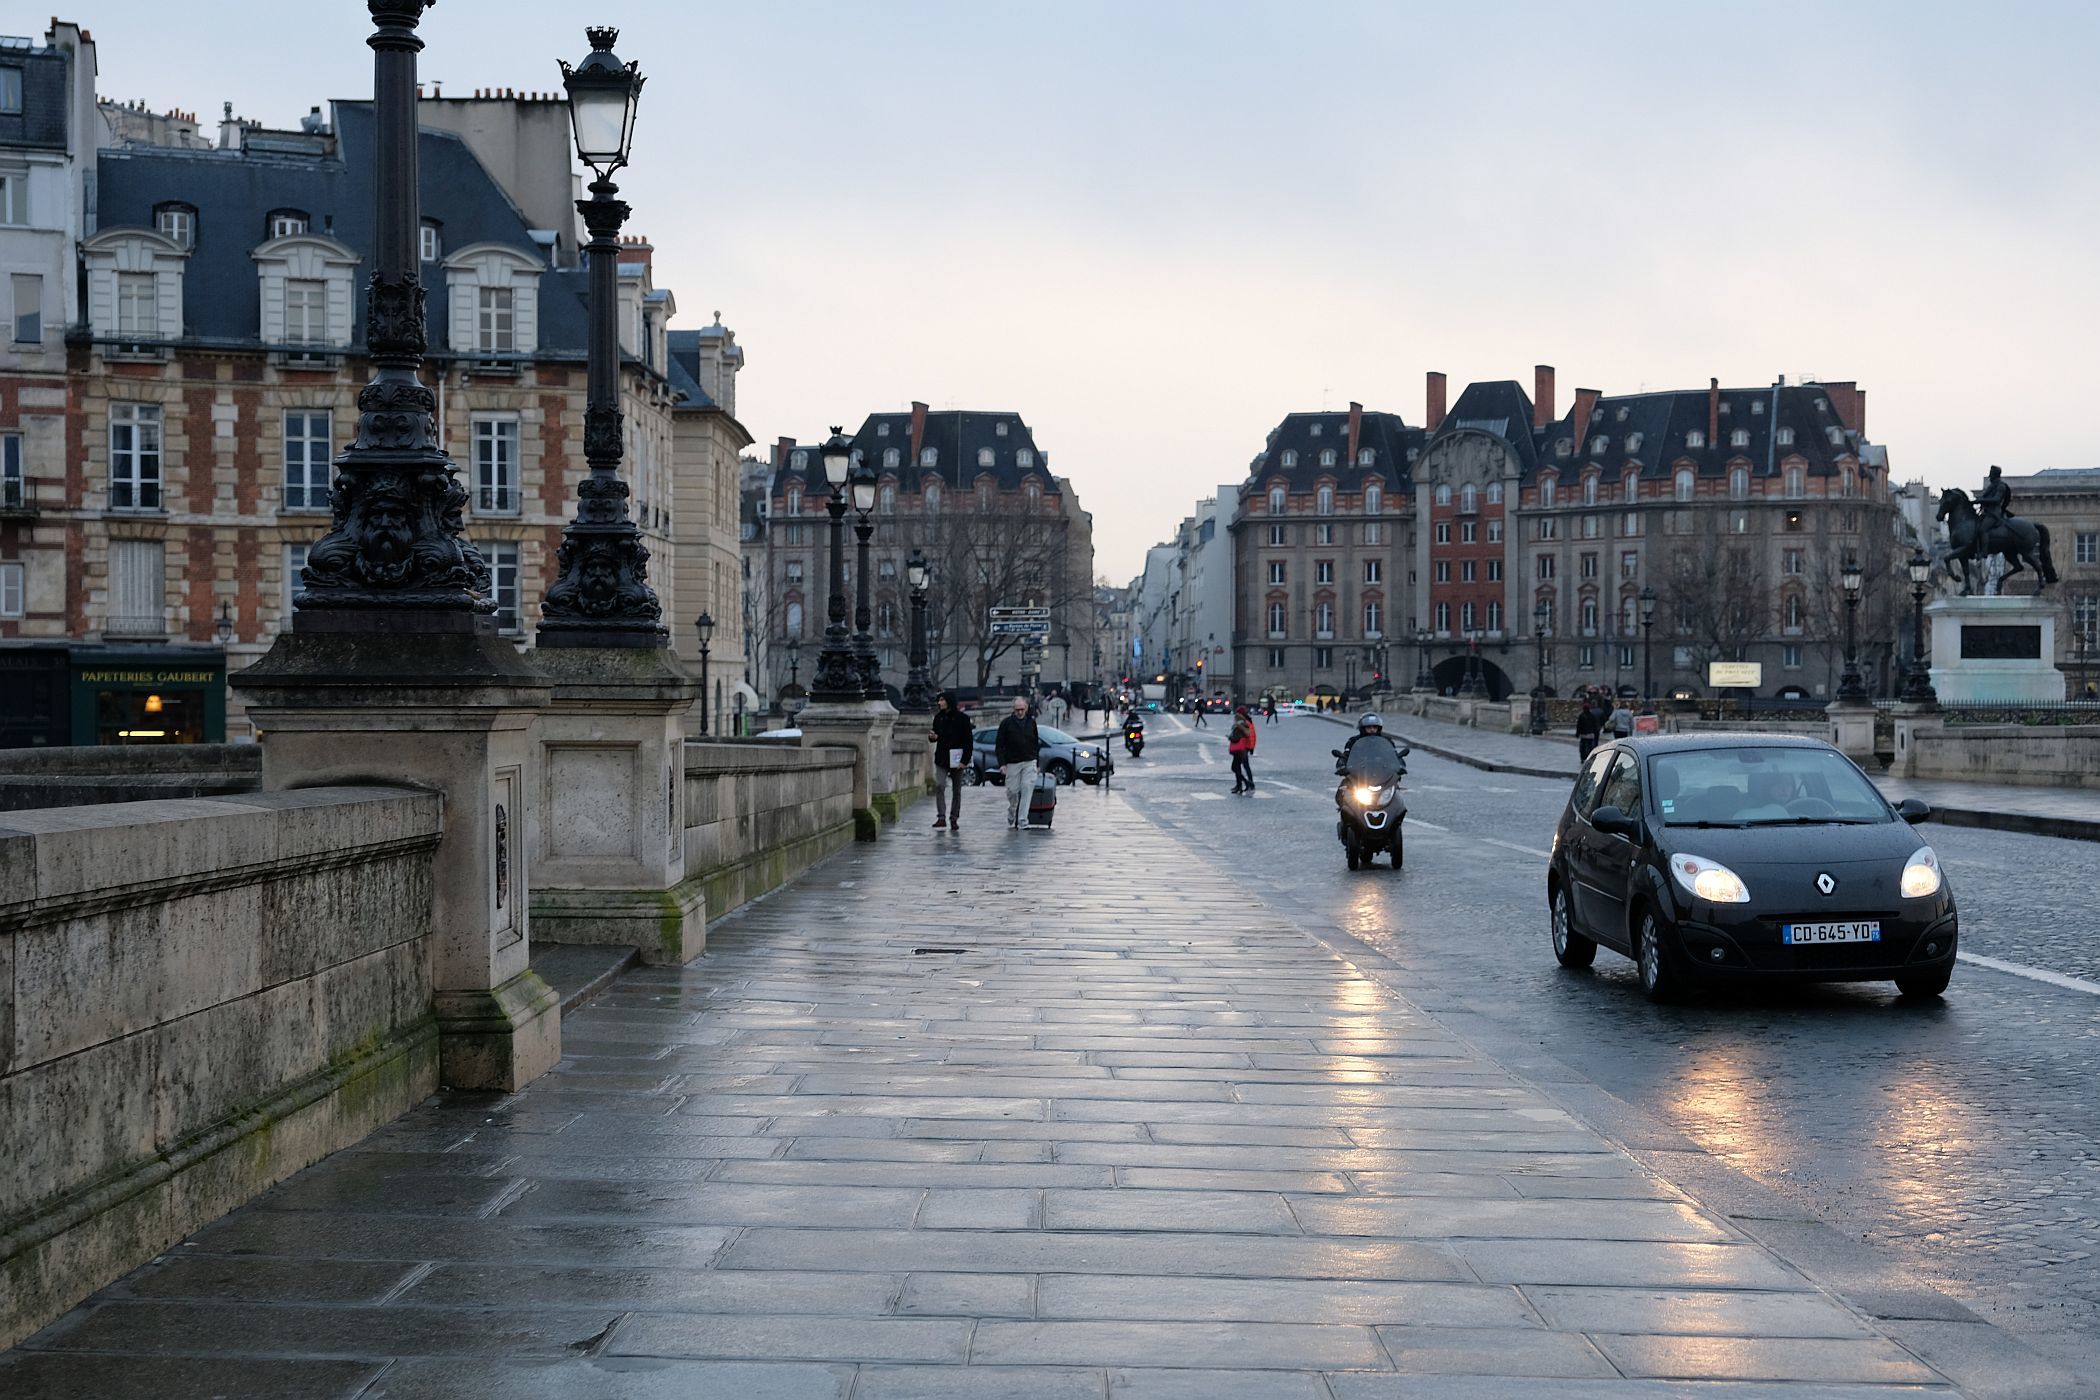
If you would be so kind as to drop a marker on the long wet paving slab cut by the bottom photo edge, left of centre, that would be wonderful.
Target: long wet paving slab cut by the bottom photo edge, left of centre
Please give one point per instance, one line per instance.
(610, 1378)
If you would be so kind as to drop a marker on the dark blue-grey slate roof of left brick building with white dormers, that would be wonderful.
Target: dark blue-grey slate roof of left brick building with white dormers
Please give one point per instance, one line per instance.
(234, 194)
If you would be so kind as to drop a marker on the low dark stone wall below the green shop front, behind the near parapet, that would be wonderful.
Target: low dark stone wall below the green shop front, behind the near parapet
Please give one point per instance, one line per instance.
(83, 776)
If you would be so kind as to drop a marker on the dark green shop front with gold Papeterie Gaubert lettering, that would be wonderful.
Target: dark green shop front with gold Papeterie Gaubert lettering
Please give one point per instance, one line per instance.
(112, 696)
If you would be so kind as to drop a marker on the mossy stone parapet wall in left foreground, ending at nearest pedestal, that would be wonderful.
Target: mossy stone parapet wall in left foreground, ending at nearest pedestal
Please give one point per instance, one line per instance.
(198, 998)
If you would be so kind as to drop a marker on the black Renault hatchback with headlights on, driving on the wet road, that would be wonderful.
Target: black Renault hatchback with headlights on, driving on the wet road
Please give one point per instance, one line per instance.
(1710, 857)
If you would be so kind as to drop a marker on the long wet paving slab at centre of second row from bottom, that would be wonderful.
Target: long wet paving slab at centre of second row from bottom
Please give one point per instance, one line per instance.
(1276, 1346)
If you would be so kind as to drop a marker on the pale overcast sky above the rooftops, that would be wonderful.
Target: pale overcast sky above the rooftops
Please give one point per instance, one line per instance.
(1156, 228)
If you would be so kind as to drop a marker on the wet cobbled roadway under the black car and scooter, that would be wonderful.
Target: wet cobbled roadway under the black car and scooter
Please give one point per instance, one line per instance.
(1958, 1137)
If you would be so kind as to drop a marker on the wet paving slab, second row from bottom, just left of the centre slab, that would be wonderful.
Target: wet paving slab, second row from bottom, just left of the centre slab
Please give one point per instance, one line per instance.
(759, 1338)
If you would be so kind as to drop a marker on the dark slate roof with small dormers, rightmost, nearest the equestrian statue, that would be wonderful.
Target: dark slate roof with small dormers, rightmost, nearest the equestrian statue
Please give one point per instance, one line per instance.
(1652, 431)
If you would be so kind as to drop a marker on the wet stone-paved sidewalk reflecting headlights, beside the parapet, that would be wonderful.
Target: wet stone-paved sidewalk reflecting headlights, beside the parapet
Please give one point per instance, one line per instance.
(1137, 1137)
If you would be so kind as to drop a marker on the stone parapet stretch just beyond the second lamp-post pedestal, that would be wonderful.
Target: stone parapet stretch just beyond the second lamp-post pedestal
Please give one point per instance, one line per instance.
(761, 813)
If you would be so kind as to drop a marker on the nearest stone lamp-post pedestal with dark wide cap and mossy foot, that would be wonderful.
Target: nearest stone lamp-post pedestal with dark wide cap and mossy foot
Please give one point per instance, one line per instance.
(450, 713)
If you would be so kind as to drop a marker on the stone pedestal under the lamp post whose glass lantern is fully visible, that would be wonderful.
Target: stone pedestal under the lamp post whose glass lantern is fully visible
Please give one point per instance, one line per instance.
(608, 832)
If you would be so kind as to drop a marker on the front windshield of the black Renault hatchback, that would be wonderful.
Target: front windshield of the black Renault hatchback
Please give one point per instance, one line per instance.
(1763, 788)
